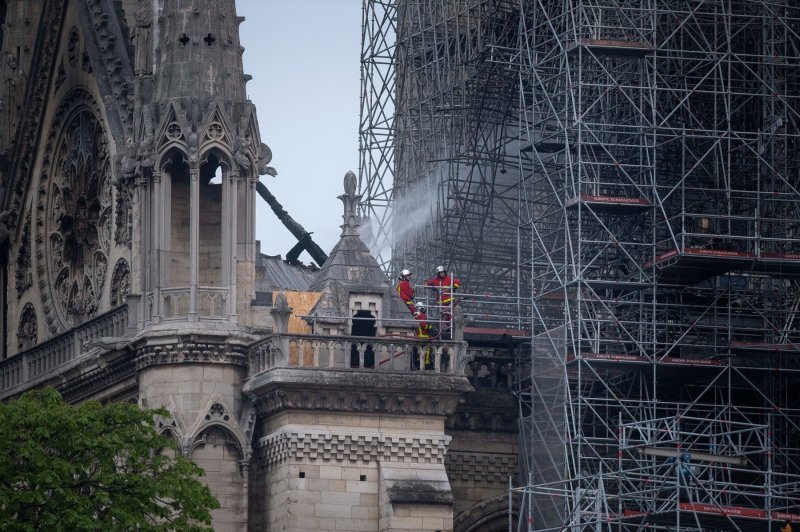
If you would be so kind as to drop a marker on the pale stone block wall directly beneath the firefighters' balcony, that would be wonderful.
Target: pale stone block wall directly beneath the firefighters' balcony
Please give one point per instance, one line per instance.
(327, 471)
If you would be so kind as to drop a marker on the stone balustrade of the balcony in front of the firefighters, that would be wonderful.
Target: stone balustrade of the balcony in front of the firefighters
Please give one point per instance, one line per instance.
(388, 354)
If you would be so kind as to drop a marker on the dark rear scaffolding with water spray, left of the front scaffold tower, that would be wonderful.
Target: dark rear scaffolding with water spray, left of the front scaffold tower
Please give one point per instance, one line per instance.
(444, 165)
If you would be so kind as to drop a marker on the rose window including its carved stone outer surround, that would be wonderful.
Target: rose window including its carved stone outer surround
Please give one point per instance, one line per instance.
(74, 213)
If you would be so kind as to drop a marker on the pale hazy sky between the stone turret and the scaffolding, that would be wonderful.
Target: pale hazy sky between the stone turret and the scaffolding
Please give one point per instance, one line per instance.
(304, 59)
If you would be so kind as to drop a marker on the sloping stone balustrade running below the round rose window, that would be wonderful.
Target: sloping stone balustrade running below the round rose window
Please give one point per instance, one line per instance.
(46, 360)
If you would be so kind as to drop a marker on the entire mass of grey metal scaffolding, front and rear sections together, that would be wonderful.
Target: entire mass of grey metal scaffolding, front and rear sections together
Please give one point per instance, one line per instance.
(632, 166)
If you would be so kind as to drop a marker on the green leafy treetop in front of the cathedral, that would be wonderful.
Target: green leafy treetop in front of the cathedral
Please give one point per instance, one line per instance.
(93, 467)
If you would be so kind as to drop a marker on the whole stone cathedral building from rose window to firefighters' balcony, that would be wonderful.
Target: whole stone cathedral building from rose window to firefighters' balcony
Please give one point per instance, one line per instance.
(129, 271)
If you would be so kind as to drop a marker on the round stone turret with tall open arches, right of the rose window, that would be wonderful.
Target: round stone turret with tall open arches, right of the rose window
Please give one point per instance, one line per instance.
(192, 165)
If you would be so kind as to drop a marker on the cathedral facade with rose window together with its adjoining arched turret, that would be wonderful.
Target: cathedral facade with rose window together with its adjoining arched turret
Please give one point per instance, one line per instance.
(130, 156)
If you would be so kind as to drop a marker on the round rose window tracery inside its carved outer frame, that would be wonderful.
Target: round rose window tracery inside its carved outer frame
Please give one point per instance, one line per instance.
(79, 221)
